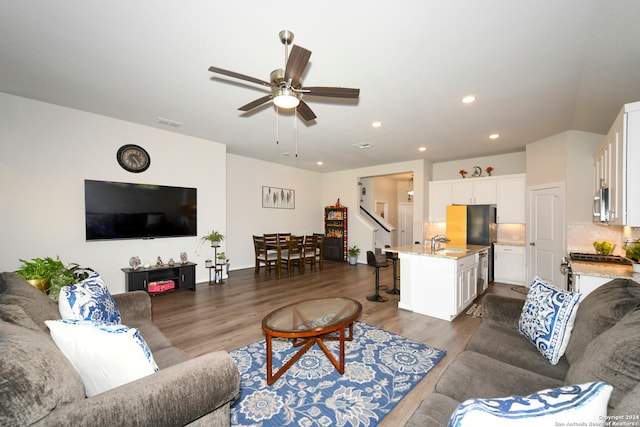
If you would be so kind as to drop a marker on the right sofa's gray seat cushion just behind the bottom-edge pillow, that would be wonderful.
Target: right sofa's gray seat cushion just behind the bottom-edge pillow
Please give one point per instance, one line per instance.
(475, 375)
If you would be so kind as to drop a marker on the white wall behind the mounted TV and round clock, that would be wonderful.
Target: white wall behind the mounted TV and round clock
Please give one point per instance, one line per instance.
(48, 151)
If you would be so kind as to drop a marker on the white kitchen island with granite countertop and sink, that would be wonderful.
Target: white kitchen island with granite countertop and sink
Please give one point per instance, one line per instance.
(439, 283)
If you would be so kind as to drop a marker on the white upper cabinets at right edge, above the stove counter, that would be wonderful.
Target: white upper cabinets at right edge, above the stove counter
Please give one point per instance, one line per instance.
(616, 169)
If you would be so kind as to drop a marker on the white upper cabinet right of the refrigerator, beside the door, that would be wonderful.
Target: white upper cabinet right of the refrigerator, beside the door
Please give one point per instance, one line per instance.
(511, 199)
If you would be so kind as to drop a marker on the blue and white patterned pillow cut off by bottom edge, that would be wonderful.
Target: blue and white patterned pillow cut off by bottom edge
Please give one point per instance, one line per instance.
(576, 405)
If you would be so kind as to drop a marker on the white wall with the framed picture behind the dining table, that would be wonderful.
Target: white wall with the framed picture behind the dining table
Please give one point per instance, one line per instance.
(246, 216)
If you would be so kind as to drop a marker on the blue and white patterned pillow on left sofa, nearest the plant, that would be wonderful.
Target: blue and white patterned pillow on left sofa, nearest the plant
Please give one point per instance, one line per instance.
(88, 300)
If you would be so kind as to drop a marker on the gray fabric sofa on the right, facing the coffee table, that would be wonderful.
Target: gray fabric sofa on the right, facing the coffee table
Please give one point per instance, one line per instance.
(499, 362)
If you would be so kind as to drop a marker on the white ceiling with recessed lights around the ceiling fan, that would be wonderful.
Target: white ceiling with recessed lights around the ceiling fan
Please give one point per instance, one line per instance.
(537, 68)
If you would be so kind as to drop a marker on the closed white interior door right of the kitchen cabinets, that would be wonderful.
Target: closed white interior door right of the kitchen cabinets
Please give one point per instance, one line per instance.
(546, 234)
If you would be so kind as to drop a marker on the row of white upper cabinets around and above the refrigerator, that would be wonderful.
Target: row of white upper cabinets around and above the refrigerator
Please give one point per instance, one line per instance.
(507, 192)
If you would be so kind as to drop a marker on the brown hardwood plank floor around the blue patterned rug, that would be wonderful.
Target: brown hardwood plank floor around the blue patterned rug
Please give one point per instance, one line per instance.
(229, 316)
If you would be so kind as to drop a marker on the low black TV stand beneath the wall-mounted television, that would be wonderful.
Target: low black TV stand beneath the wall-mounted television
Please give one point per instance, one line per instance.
(183, 275)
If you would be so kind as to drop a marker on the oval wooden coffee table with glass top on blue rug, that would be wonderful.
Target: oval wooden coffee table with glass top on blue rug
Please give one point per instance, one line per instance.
(310, 322)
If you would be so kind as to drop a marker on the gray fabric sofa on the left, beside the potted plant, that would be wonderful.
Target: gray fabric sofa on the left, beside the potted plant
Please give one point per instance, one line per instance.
(38, 385)
